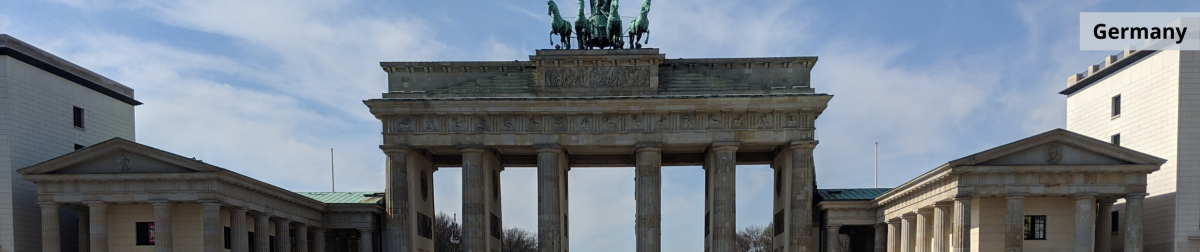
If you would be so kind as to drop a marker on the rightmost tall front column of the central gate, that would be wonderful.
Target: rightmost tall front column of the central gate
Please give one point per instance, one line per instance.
(800, 224)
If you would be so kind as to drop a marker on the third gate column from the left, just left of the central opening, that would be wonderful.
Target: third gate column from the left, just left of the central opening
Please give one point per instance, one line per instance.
(550, 225)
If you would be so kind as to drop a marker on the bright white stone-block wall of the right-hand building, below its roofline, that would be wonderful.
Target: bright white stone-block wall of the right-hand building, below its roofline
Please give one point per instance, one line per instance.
(1154, 121)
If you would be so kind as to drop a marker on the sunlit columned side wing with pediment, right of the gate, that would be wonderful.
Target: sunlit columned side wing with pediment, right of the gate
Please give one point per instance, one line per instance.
(995, 193)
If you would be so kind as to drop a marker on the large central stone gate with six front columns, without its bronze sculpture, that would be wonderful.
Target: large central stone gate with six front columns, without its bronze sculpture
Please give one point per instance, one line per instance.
(597, 109)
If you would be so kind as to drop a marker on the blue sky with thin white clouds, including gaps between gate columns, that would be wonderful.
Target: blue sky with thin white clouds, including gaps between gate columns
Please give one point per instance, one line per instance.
(266, 88)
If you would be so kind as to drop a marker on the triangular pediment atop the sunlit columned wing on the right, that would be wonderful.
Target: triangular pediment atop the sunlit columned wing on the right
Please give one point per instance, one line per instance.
(1058, 148)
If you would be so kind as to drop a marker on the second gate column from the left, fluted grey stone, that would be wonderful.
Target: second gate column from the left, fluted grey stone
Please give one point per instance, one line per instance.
(475, 213)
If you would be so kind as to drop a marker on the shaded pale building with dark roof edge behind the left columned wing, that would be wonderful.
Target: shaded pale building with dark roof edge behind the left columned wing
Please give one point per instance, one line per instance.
(49, 107)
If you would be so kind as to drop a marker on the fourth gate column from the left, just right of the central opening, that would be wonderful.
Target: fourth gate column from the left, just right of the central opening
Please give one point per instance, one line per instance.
(649, 196)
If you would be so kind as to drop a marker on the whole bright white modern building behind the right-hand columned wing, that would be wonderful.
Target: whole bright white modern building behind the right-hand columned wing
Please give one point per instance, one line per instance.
(1149, 101)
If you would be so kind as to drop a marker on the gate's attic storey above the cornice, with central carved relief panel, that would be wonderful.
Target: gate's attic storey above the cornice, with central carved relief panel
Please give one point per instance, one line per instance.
(577, 74)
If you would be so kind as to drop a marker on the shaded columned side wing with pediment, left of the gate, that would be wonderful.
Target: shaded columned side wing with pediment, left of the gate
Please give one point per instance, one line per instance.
(128, 182)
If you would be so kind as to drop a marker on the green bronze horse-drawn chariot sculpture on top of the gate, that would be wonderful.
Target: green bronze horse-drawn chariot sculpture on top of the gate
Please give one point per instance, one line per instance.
(602, 28)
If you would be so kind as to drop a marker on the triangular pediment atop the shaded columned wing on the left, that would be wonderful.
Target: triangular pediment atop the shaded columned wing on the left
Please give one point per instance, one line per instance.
(117, 157)
